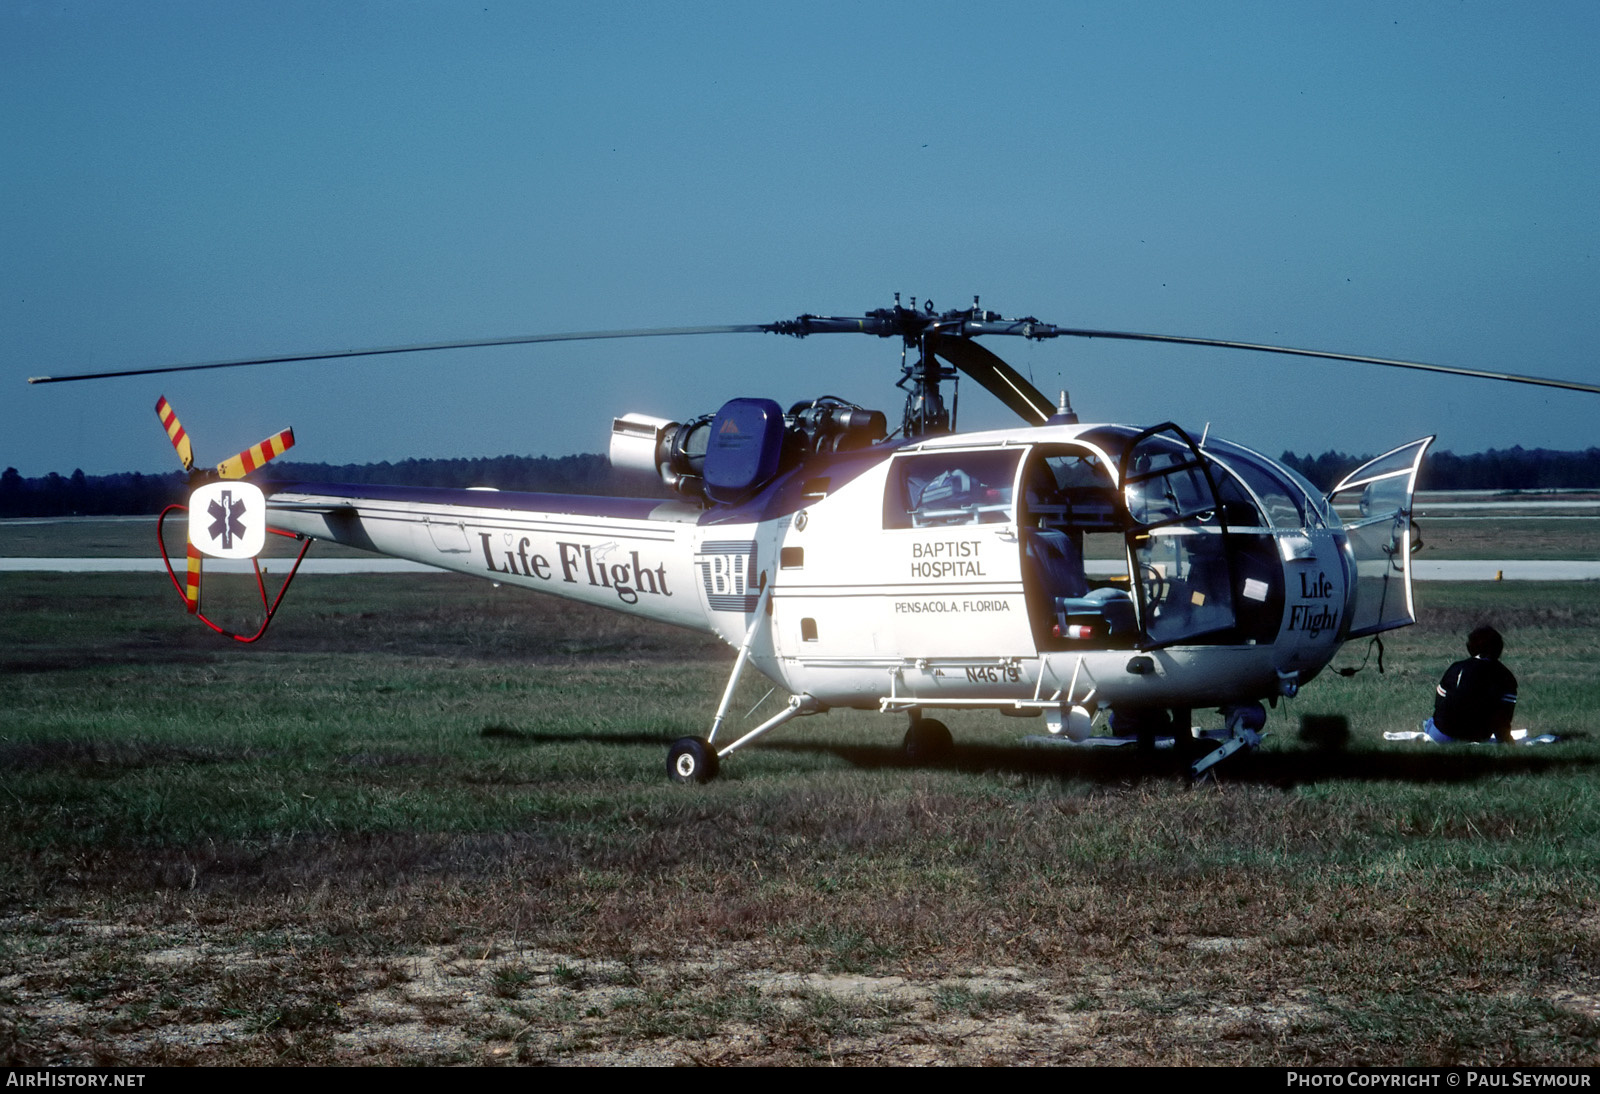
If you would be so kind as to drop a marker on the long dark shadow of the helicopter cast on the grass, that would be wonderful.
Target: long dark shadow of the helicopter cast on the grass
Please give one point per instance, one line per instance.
(1415, 764)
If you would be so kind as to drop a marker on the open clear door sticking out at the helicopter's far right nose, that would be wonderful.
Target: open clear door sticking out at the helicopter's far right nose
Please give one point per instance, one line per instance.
(1380, 540)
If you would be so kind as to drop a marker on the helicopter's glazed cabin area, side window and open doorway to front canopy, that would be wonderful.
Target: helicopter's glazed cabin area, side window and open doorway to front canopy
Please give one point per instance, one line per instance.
(1193, 535)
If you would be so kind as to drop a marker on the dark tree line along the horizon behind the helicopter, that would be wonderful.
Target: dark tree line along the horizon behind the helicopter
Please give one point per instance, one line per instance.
(55, 495)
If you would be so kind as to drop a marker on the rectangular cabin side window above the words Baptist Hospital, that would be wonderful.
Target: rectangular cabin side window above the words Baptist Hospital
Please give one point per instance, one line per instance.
(943, 490)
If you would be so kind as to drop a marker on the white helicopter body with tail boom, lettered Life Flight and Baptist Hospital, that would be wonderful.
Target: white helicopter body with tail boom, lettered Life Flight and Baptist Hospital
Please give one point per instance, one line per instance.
(1098, 565)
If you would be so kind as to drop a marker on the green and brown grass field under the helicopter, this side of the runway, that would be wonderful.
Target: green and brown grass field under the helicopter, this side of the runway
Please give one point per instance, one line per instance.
(428, 821)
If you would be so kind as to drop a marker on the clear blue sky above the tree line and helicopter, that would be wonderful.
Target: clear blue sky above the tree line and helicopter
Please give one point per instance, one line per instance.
(202, 182)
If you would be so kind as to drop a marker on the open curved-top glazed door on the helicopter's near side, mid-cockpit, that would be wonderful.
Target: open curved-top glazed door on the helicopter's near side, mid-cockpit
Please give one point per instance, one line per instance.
(1177, 540)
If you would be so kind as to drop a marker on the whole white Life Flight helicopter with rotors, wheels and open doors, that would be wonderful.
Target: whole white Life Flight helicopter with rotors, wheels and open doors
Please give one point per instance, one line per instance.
(913, 572)
